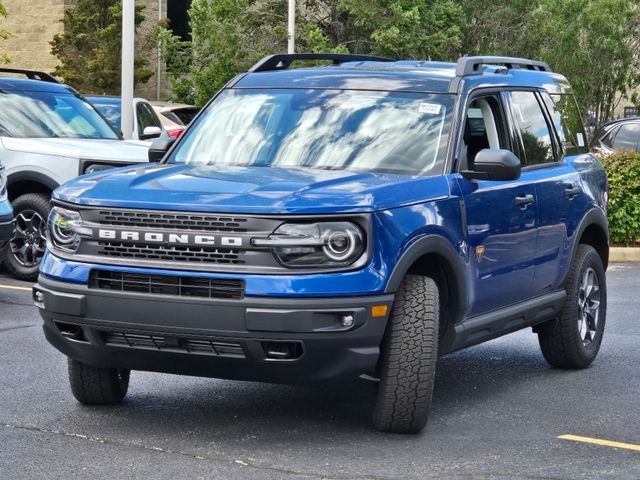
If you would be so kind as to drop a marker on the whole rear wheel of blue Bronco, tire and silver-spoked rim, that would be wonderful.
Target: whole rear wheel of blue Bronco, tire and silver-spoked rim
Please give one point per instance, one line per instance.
(573, 341)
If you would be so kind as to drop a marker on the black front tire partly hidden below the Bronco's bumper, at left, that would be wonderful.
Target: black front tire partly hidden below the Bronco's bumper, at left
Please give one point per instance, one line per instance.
(97, 386)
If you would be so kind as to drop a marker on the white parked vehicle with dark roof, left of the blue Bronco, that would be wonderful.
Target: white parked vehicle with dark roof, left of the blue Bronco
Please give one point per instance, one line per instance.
(49, 134)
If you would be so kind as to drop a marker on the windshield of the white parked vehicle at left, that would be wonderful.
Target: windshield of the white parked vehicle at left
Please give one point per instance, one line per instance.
(50, 115)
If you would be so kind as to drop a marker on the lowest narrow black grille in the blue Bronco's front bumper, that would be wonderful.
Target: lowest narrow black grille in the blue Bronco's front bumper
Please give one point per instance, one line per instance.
(169, 343)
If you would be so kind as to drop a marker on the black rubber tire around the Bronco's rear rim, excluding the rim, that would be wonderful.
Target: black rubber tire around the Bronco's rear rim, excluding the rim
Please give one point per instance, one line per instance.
(560, 339)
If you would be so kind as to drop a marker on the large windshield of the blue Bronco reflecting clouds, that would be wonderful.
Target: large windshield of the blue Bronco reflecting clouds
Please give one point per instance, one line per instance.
(394, 132)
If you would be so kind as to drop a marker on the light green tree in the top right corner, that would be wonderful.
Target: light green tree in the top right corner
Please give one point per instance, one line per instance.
(596, 44)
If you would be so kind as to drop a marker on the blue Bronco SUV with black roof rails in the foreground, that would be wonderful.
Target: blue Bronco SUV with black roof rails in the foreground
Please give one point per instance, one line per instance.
(360, 218)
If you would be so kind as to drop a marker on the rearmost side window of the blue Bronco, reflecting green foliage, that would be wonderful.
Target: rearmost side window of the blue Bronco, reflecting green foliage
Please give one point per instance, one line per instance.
(567, 121)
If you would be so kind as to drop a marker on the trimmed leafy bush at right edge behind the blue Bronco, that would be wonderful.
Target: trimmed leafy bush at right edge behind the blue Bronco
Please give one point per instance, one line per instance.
(623, 170)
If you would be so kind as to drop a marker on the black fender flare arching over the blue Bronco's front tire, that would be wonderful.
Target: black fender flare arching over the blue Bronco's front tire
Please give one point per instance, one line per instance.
(435, 244)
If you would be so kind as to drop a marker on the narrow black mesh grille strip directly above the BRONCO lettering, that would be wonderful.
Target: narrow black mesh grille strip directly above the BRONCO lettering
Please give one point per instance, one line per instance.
(181, 221)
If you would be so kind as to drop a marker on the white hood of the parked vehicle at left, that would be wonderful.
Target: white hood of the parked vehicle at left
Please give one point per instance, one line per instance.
(124, 150)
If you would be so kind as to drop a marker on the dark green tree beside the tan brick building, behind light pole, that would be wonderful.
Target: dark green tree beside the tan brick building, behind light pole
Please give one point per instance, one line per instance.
(89, 49)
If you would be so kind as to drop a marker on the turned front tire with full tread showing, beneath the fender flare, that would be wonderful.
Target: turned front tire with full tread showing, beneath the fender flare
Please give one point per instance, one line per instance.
(408, 358)
